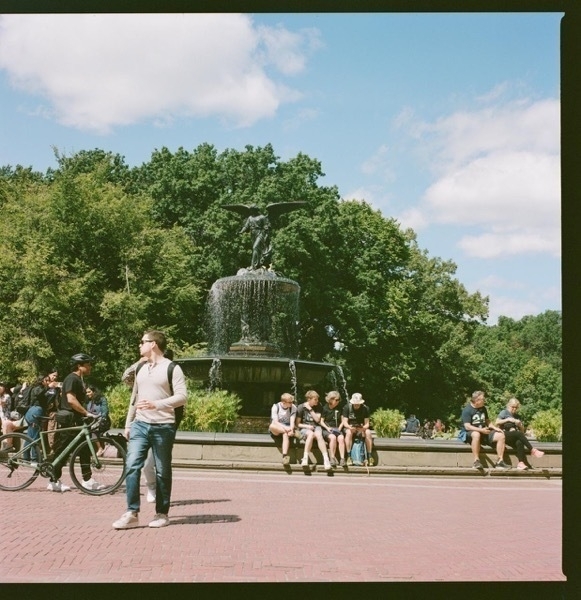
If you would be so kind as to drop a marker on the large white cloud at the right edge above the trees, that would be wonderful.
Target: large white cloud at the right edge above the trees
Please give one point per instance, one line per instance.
(496, 169)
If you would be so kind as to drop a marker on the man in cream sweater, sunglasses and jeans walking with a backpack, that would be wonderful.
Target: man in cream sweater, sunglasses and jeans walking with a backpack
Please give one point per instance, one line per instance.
(150, 423)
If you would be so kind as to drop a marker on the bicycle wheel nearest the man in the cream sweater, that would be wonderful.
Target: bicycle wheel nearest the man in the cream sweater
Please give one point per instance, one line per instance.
(108, 473)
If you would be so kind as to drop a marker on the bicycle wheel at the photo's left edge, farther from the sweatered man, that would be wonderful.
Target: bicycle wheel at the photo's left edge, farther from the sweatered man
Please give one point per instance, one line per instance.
(15, 472)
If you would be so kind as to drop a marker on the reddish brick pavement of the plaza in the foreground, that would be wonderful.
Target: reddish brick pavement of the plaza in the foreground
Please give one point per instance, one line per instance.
(268, 527)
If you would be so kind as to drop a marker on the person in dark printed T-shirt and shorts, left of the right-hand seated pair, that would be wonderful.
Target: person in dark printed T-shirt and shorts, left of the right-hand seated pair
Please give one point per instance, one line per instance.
(476, 430)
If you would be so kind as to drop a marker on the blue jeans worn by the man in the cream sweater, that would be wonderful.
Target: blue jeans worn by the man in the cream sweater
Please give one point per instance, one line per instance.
(160, 439)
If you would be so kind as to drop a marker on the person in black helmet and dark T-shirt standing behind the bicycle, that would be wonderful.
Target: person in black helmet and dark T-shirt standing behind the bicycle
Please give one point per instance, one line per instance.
(71, 413)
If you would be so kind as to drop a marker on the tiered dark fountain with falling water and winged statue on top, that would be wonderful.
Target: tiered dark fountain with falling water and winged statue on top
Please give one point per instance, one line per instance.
(252, 329)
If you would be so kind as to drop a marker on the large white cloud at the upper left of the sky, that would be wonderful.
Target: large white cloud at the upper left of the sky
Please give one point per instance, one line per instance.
(102, 71)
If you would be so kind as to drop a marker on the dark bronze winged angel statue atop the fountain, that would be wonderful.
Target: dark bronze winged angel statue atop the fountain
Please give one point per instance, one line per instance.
(259, 226)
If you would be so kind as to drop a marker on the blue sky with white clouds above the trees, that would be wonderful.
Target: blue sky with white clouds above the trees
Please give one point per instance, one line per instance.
(448, 123)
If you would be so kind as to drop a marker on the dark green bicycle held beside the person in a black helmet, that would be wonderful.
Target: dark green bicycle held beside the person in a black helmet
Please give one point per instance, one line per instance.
(17, 473)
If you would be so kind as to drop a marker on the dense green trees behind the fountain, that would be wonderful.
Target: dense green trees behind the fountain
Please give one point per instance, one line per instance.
(94, 252)
